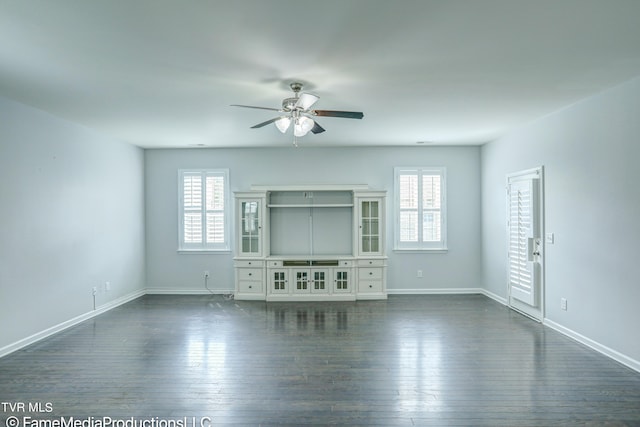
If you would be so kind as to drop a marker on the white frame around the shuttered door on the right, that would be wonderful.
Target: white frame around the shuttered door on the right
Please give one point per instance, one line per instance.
(536, 313)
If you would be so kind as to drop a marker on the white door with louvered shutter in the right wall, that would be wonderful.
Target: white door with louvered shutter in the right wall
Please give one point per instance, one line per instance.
(524, 231)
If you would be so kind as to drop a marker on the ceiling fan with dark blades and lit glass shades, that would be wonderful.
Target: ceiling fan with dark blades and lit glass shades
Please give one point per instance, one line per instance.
(297, 110)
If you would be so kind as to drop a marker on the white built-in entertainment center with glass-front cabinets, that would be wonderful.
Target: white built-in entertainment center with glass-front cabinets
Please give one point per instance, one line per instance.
(310, 243)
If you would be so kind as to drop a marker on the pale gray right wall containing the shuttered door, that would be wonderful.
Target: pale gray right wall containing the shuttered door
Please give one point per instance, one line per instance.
(590, 153)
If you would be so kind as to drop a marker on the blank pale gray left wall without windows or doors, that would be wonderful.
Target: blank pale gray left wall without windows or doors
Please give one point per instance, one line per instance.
(71, 218)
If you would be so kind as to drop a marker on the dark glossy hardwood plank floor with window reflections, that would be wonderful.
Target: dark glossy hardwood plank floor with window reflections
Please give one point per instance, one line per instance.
(410, 360)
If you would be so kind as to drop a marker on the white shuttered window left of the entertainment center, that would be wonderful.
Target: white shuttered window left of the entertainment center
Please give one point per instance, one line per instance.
(203, 202)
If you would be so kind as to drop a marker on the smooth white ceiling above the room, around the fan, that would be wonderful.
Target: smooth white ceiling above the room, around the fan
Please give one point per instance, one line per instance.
(162, 73)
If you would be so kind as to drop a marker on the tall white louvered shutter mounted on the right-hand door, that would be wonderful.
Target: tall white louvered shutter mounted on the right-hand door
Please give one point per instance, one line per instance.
(522, 236)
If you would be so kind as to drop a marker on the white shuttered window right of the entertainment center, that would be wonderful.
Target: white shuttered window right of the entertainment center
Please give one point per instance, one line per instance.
(420, 209)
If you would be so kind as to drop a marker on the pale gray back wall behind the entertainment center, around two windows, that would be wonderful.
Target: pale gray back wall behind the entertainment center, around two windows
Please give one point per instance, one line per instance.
(459, 268)
